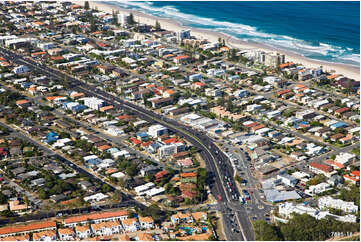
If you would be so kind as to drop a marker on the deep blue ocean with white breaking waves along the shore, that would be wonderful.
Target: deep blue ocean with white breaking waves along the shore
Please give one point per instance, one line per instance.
(328, 31)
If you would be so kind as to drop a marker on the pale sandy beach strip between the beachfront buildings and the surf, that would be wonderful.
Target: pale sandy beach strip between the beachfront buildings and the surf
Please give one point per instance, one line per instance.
(212, 36)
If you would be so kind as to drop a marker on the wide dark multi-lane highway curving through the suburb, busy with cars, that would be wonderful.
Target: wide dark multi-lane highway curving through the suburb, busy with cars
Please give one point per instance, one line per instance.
(237, 226)
